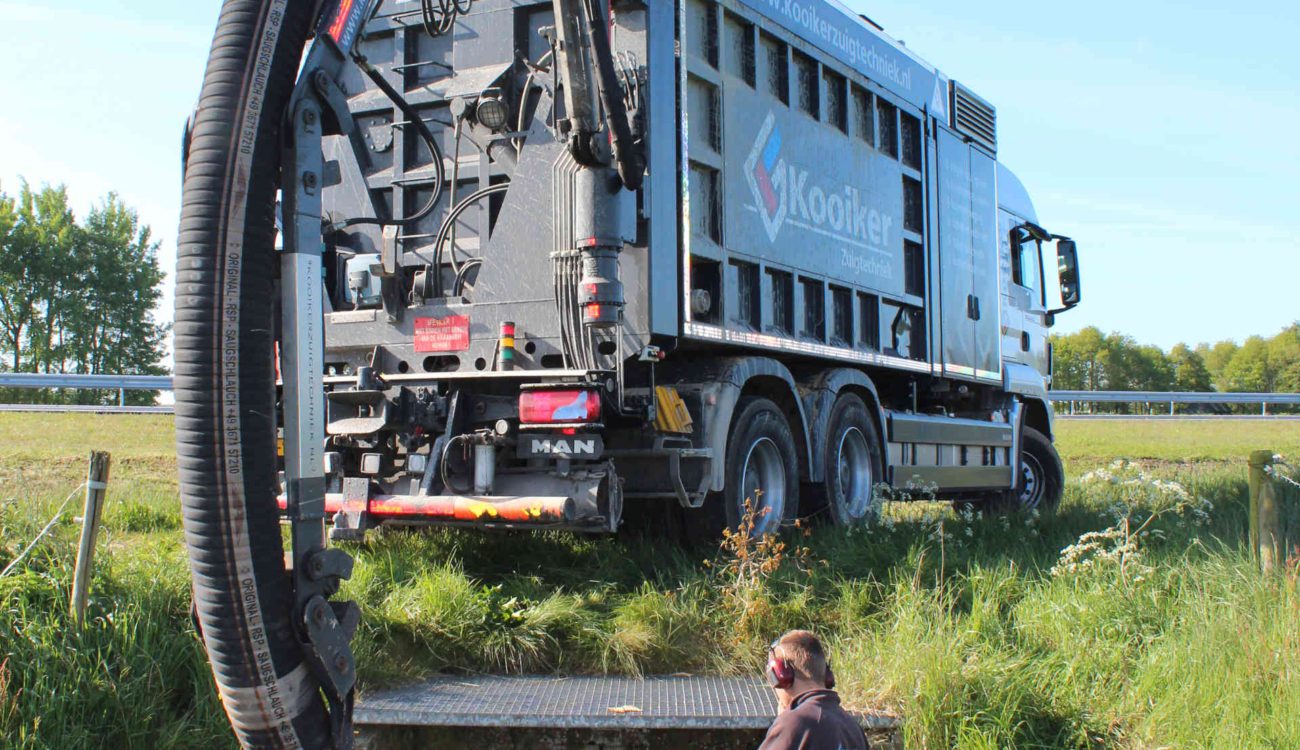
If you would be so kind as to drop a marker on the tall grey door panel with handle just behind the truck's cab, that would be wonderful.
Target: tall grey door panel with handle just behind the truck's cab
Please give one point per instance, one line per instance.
(968, 250)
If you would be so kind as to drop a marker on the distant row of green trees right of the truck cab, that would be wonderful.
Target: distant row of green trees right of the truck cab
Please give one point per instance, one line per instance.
(1098, 362)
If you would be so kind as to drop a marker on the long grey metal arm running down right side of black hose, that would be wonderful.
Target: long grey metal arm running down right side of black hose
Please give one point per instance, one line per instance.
(318, 109)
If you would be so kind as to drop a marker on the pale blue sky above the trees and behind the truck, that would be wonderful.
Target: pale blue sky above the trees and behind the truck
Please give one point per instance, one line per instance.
(1162, 136)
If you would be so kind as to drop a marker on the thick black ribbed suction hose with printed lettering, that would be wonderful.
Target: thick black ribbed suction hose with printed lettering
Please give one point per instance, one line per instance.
(226, 411)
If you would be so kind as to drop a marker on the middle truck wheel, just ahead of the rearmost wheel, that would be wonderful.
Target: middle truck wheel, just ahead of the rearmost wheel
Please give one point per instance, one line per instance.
(852, 463)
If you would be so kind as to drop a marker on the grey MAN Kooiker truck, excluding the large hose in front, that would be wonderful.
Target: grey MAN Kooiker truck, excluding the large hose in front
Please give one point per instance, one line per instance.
(824, 283)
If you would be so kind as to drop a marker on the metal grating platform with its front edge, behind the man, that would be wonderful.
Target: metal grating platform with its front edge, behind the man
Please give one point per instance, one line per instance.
(597, 713)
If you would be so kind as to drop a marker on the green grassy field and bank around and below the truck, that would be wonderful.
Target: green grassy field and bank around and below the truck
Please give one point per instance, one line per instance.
(1158, 632)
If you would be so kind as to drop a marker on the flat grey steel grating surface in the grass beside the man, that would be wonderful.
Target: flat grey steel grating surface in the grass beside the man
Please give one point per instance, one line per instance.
(580, 704)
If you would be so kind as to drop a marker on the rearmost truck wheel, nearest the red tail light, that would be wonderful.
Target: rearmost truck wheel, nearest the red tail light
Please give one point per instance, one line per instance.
(761, 467)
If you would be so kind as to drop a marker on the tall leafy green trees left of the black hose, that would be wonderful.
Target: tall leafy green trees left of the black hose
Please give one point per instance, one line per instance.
(77, 296)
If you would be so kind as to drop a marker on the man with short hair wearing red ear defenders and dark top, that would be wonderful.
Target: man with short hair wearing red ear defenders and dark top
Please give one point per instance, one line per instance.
(811, 717)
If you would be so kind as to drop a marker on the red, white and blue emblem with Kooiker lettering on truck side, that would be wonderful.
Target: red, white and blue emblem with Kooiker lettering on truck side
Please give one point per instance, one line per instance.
(783, 196)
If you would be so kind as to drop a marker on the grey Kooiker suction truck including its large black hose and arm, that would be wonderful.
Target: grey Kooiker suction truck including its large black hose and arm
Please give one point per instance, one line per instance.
(592, 266)
